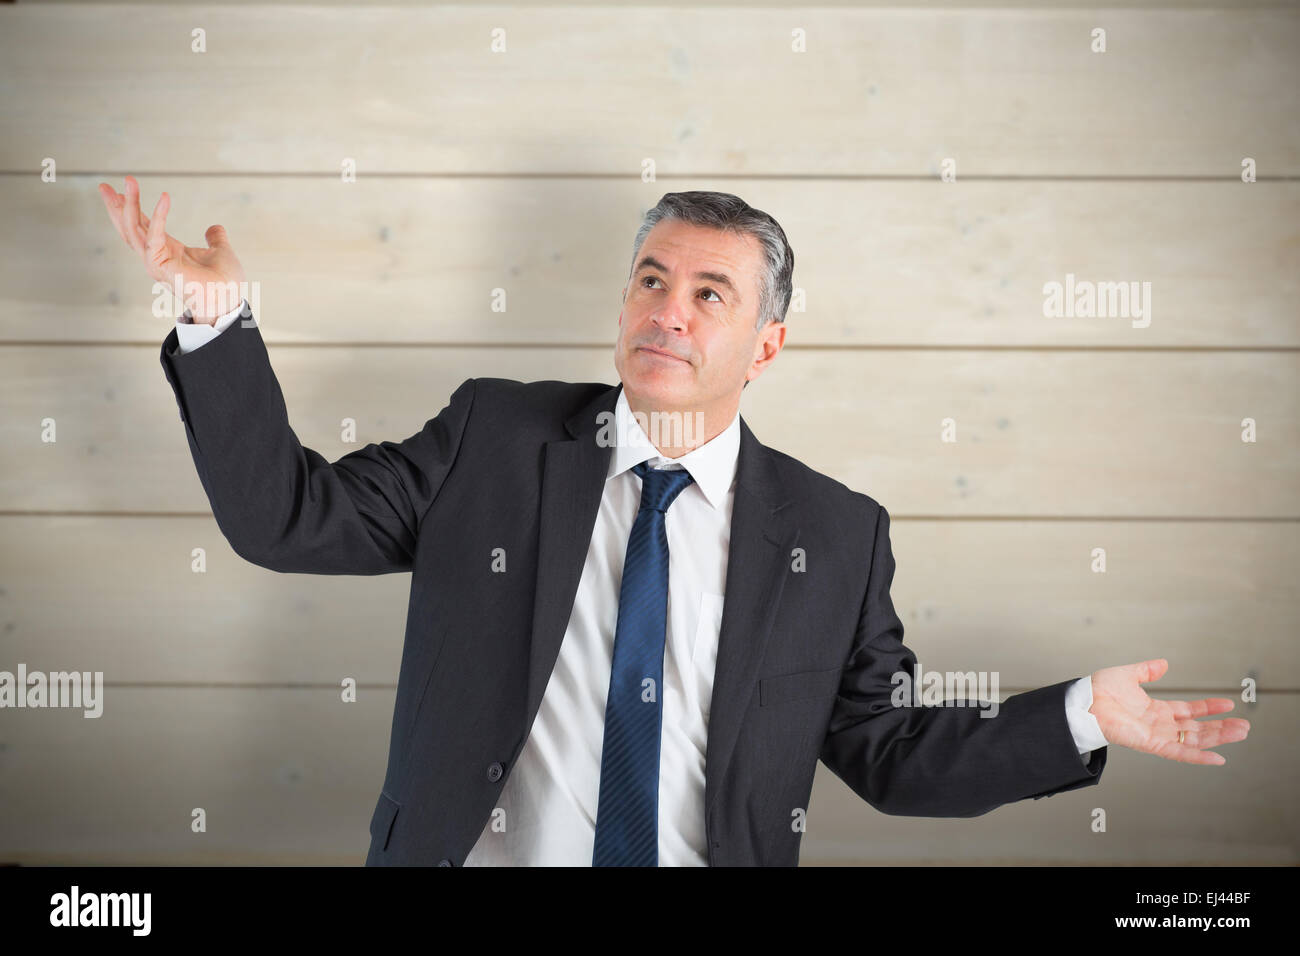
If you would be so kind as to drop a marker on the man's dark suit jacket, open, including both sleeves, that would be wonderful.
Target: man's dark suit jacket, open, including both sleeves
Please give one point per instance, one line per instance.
(805, 657)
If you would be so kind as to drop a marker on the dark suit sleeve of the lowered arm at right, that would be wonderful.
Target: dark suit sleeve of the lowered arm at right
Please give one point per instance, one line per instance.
(941, 762)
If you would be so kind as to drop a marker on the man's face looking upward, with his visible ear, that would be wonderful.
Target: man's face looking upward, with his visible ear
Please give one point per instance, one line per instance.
(687, 338)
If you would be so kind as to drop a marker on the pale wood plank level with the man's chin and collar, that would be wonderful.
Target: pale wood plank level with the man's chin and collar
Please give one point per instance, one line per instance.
(1052, 434)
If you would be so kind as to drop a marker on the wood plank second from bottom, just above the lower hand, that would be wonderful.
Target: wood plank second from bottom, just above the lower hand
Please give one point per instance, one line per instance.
(118, 595)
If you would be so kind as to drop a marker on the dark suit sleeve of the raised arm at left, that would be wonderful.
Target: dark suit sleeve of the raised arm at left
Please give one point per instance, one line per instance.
(281, 505)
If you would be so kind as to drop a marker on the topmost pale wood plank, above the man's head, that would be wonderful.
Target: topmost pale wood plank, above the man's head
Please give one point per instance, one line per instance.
(700, 92)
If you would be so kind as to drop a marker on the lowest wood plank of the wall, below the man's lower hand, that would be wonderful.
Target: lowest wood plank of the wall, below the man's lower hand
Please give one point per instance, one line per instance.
(291, 776)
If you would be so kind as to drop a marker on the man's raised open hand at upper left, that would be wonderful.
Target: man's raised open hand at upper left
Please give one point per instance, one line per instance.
(211, 279)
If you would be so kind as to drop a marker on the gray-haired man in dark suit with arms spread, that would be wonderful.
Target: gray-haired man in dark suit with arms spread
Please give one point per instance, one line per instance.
(634, 629)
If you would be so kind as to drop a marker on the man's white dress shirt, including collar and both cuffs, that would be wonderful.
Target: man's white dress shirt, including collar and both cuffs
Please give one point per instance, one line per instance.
(548, 810)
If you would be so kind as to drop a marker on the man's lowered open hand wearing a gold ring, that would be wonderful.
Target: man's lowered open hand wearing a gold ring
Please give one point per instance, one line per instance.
(1130, 719)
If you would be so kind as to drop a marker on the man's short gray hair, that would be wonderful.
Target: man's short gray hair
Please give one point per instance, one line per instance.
(733, 214)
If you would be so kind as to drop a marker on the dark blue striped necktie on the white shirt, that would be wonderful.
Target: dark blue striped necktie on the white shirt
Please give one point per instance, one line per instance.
(627, 824)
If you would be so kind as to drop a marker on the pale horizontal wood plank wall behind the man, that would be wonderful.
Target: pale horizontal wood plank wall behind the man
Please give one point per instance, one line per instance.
(522, 171)
